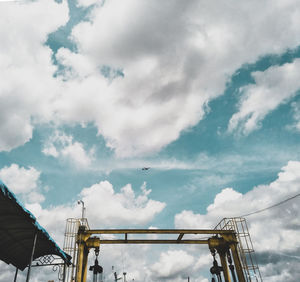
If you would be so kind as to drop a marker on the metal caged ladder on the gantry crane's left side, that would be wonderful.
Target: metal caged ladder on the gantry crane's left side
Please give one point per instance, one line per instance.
(70, 246)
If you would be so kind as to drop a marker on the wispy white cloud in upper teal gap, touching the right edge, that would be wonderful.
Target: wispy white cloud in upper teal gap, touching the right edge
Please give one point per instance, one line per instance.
(272, 87)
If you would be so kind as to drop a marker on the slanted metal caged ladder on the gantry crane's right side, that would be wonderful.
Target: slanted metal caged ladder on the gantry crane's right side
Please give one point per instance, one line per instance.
(245, 246)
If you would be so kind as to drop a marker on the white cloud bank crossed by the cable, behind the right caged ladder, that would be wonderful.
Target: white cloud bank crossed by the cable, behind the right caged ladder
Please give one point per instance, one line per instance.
(275, 230)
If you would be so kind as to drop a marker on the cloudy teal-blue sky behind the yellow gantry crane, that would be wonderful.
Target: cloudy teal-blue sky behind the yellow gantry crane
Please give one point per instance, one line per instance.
(205, 93)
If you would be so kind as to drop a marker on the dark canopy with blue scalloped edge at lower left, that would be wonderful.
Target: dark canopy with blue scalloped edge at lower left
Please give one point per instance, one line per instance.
(18, 227)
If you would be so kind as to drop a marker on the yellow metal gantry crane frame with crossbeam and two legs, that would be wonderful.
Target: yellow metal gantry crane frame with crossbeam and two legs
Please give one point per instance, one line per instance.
(222, 242)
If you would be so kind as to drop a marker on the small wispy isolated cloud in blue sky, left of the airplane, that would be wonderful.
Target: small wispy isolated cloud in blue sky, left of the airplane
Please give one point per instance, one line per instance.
(63, 146)
